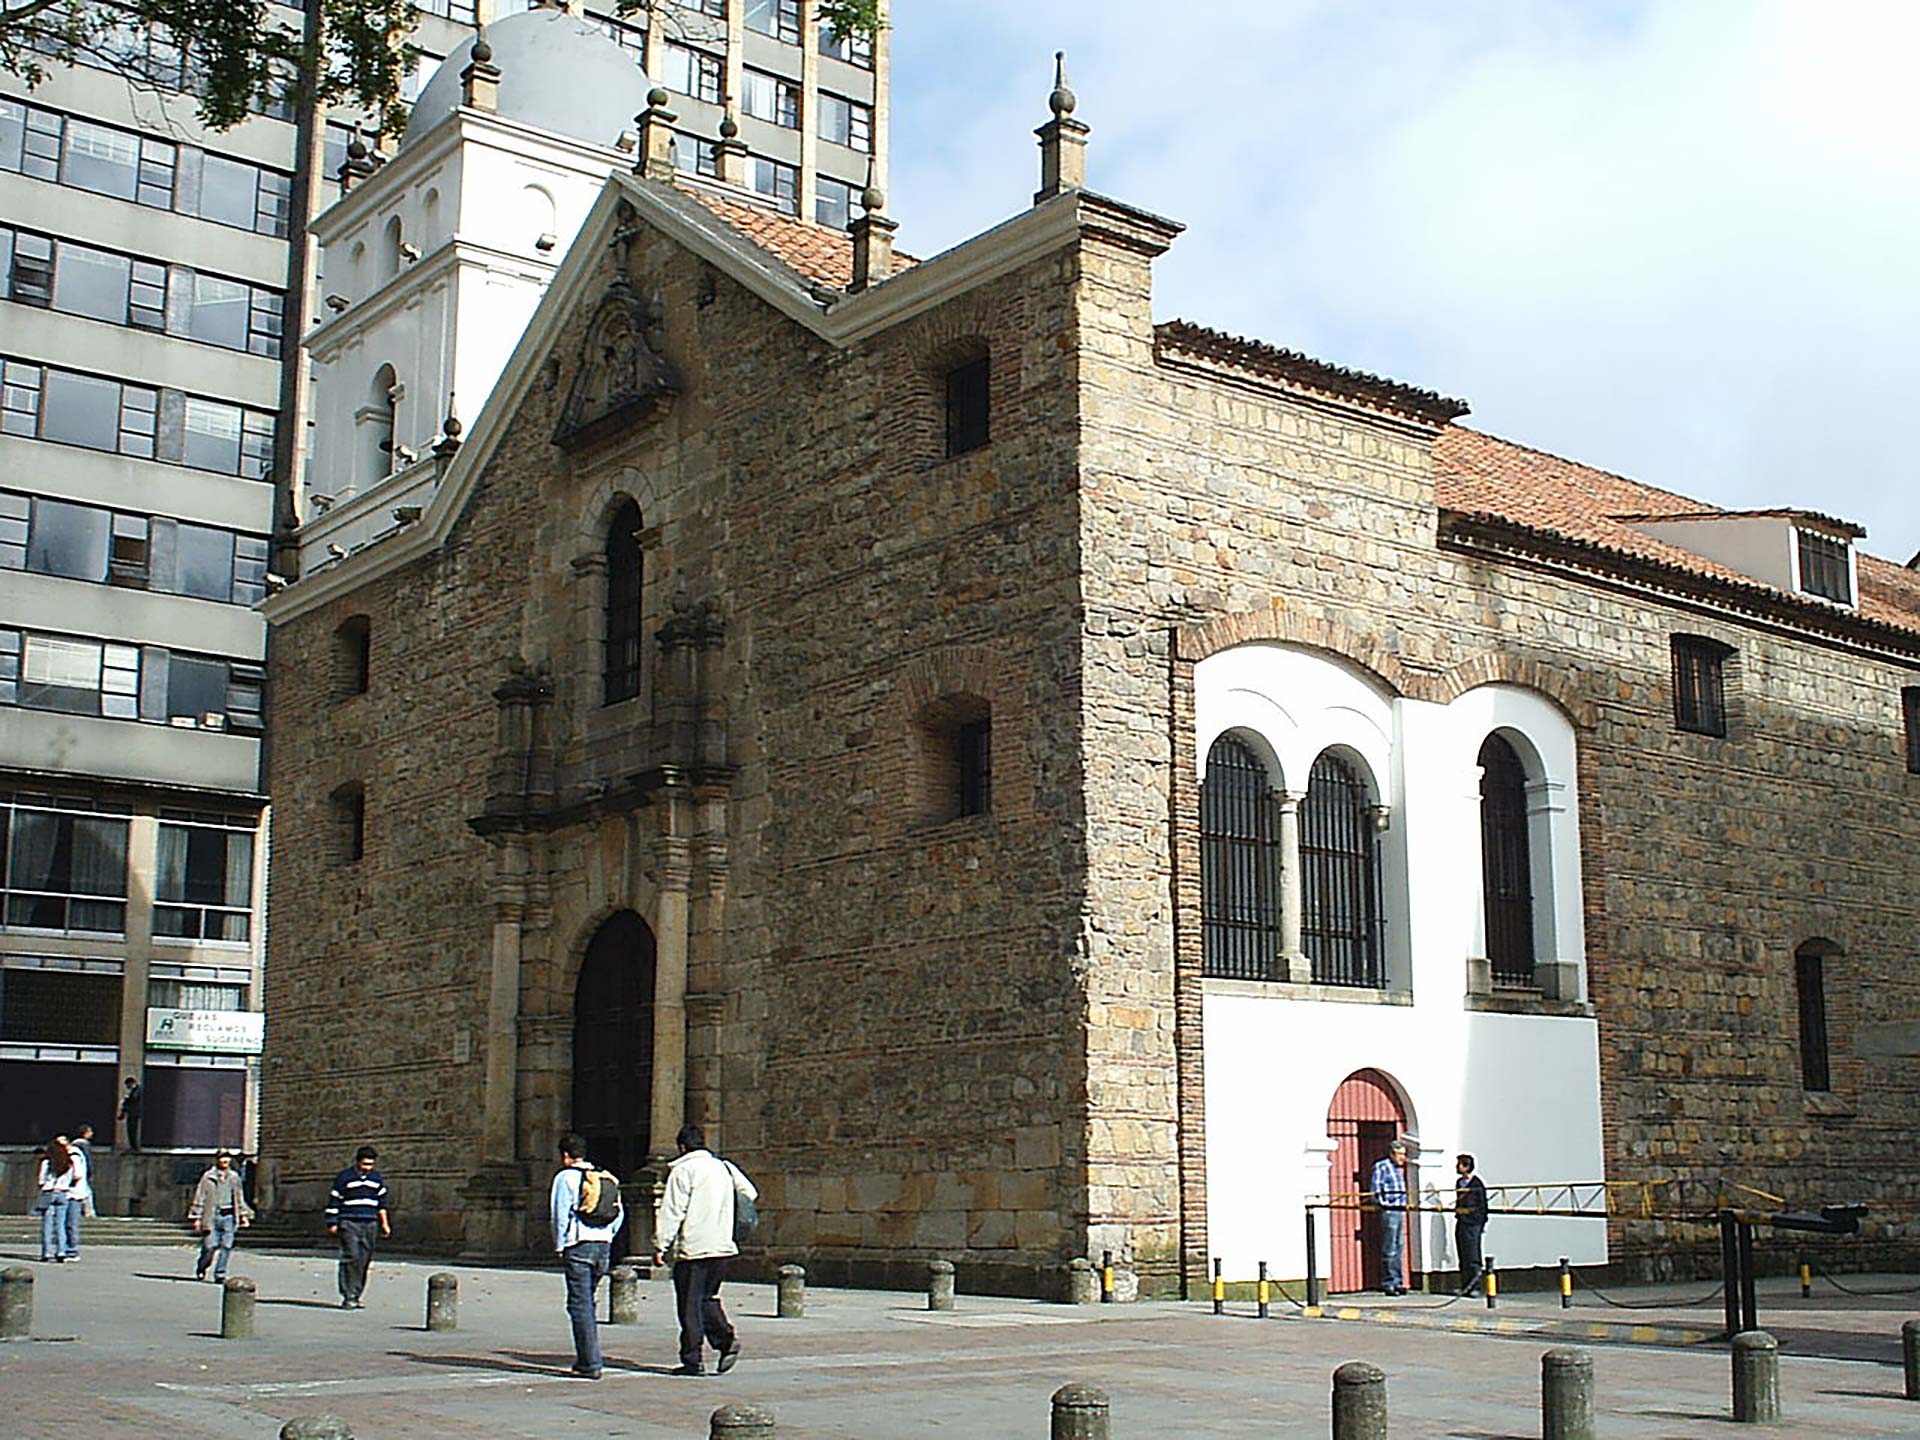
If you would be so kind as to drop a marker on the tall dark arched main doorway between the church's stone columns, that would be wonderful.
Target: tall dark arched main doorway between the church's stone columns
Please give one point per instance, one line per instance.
(613, 1045)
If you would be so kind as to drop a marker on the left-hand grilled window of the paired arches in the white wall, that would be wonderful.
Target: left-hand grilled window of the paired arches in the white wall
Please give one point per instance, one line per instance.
(1239, 867)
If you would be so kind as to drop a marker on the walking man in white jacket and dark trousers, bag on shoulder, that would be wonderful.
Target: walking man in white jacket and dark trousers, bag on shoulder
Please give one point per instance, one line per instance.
(696, 1224)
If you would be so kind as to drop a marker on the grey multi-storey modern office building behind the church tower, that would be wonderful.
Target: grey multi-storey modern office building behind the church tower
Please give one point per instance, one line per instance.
(145, 277)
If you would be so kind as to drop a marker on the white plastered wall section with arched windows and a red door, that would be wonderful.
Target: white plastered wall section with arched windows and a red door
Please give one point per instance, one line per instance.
(1522, 1092)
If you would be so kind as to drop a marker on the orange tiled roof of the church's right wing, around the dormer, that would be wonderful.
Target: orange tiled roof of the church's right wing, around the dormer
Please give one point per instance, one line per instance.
(1485, 477)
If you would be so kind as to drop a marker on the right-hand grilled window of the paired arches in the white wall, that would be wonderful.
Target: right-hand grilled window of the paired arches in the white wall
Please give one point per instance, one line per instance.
(1341, 878)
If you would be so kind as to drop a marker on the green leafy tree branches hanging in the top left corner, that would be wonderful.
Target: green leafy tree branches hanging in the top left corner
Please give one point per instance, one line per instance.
(235, 57)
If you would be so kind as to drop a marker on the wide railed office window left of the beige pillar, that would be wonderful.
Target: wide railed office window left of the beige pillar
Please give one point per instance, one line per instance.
(66, 863)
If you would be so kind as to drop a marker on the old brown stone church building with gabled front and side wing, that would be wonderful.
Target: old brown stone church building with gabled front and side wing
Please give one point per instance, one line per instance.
(794, 709)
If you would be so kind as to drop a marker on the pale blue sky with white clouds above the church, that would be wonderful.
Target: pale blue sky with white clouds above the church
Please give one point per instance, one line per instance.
(1677, 241)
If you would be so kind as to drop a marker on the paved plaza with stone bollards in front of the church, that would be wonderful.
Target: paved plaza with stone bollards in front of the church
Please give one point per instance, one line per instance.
(128, 1345)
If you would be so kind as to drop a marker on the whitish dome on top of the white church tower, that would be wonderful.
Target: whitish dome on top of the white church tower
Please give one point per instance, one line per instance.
(556, 72)
